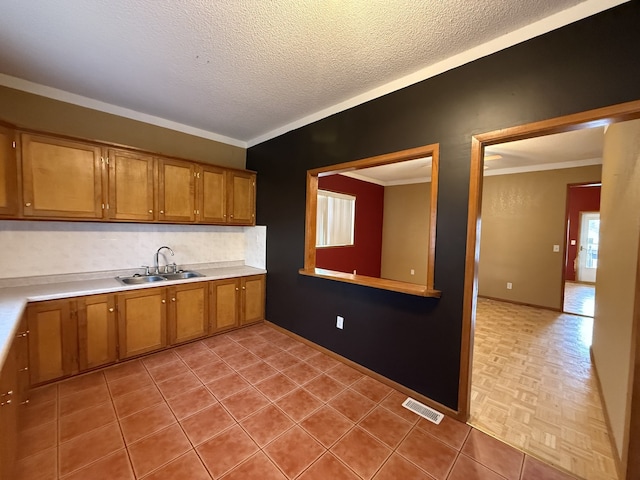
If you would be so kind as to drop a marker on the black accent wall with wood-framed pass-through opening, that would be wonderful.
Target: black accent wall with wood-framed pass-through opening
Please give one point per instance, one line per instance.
(411, 340)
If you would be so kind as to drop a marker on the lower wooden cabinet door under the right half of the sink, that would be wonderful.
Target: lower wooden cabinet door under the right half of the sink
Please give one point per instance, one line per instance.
(188, 312)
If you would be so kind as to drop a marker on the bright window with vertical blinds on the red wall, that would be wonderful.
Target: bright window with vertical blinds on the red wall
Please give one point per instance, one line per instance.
(335, 220)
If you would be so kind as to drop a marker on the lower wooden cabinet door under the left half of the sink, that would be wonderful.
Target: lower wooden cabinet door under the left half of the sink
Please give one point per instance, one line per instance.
(141, 322)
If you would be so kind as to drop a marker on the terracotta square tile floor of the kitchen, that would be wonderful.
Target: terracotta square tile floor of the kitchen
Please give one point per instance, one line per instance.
(253, 404)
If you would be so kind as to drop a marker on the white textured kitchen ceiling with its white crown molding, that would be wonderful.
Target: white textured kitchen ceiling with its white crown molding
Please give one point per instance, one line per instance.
(243, 71)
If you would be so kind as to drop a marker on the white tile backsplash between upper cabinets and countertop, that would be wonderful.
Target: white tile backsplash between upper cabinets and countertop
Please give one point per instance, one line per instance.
(50, 248)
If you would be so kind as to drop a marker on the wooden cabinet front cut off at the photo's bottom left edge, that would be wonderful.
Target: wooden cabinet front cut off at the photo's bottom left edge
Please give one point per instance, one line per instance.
(9, 414)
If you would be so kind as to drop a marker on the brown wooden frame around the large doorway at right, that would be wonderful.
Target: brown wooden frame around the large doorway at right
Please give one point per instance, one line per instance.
(589, 119)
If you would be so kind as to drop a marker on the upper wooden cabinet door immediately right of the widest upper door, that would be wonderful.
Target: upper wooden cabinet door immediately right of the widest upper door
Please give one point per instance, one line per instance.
(131, 186)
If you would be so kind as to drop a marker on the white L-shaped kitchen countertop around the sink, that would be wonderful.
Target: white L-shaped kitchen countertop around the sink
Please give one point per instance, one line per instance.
(13, 300)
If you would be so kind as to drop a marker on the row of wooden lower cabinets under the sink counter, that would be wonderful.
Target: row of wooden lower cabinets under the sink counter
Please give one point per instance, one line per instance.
(69, 336)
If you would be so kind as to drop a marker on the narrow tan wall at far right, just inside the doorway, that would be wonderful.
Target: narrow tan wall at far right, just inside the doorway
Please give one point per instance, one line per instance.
(616, 281)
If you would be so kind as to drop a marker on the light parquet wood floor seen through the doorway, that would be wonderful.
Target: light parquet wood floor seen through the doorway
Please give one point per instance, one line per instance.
(534, 388)
